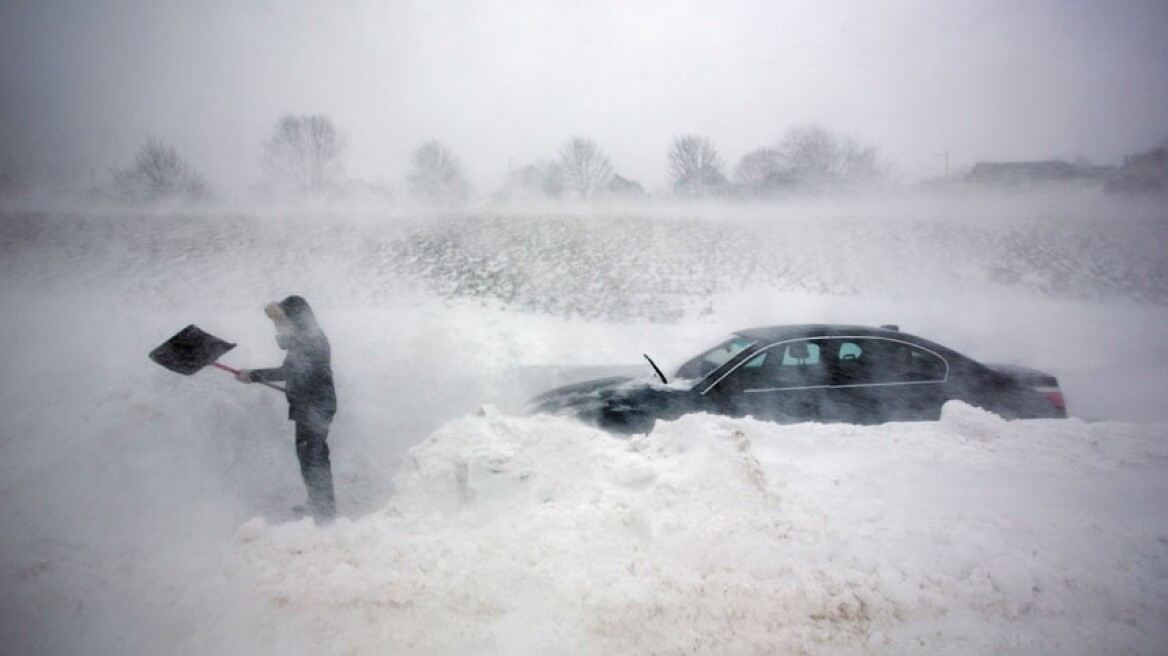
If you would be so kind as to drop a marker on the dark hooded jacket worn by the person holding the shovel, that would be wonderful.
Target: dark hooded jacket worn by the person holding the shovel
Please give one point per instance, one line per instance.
(308, 369)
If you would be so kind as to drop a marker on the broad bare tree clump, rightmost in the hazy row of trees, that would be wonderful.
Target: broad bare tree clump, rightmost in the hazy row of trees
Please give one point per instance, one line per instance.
(816, 157)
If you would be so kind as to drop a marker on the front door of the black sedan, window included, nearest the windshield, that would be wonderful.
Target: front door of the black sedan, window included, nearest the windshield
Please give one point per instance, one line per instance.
(783, 382)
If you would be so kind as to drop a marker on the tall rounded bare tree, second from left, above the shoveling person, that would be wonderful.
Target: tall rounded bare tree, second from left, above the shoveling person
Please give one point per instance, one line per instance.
(304, 155)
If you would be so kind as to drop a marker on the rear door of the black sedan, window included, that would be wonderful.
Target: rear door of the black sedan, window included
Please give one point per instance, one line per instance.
(884, 380)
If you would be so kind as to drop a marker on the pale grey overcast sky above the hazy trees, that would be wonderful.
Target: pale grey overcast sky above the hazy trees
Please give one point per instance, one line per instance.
(502, 83)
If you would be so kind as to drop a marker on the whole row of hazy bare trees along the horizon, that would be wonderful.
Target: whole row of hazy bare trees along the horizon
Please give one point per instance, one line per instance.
(304, 156)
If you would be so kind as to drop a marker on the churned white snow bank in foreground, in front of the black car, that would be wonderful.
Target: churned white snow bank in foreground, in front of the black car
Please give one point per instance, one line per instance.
(538, 535)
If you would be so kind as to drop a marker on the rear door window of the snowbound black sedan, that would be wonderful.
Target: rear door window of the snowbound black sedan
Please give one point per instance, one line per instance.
(874, 361)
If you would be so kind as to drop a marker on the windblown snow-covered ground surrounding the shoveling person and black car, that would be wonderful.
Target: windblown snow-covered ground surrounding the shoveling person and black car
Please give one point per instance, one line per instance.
(145, 513)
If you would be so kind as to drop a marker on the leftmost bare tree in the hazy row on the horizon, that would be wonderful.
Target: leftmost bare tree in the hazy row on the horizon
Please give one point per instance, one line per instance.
(159, 173)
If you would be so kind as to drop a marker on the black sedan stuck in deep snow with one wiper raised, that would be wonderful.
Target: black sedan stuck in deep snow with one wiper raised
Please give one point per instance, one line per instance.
(814, 373)
